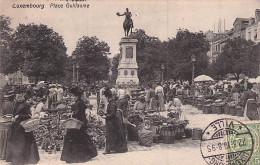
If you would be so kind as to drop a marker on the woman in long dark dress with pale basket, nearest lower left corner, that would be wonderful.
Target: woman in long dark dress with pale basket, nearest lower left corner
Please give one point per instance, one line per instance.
(23, 148)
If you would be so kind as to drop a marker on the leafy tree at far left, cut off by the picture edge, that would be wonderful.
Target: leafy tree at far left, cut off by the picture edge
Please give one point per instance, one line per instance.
(5, 39)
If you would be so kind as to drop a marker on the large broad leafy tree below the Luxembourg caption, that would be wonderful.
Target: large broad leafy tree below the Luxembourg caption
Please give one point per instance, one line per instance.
(38, 51)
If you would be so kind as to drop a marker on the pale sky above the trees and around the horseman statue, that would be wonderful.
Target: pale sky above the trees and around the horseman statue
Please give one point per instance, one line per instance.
(160, 18)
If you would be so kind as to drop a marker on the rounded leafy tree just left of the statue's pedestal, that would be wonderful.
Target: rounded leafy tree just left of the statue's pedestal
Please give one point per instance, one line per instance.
(92, 58)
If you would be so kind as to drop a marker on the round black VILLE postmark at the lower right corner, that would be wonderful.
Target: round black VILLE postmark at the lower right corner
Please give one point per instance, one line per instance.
(227, 142)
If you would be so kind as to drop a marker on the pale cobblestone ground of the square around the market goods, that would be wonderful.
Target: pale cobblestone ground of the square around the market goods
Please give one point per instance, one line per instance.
(182, 152)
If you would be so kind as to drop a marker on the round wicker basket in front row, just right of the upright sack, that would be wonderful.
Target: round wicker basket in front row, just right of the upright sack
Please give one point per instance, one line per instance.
(168, 133)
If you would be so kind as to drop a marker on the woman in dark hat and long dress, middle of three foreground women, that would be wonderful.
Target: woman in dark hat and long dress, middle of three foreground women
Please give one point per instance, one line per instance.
(78, 146)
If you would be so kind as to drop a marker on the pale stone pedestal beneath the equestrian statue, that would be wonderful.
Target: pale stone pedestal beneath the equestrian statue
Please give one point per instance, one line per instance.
(127, 68)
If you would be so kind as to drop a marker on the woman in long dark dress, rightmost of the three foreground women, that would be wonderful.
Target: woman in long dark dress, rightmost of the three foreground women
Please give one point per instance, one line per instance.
(115, 136)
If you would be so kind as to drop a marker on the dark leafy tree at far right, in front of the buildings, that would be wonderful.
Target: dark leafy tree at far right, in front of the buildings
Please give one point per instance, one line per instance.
(238, 56)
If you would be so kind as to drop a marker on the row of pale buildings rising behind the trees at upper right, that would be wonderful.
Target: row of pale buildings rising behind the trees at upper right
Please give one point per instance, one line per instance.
(247, 28)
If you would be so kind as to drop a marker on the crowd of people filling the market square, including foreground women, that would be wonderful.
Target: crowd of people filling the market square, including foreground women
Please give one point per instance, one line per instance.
(23, 103)
